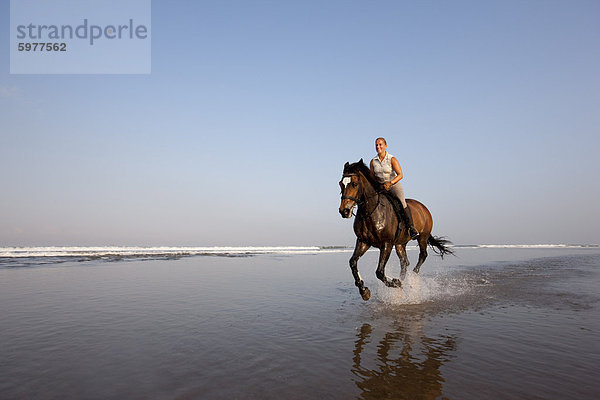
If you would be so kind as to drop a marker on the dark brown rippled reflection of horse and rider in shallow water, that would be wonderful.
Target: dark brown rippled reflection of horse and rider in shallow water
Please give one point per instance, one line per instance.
(407, 363)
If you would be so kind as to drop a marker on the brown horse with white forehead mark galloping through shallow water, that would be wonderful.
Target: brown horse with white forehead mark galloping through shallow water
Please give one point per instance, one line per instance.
(376, 225)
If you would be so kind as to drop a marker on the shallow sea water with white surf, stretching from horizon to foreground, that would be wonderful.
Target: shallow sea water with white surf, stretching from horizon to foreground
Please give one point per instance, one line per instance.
(494, 322)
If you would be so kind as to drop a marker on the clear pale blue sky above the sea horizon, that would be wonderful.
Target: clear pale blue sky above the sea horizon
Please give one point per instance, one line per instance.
(240, 133)
